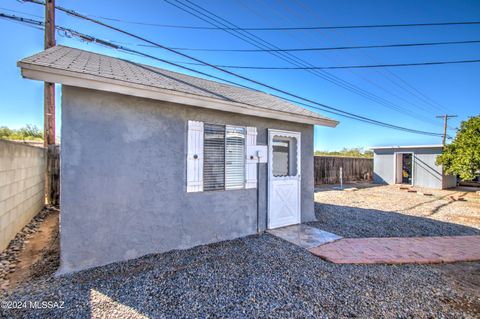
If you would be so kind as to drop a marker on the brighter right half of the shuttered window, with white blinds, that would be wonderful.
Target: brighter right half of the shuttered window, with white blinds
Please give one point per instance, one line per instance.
(234, 157)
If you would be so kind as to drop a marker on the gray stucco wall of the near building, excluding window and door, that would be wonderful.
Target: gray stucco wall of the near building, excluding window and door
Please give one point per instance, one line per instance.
(123, 186)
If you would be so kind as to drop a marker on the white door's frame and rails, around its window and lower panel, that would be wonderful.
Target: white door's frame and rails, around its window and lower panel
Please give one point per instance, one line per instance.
(270, 178)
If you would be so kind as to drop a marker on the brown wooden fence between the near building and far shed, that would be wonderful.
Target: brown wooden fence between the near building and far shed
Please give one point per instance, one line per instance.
(327, 169)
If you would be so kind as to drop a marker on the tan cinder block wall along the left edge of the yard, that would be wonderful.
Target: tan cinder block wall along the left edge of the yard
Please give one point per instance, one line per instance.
(22, 169)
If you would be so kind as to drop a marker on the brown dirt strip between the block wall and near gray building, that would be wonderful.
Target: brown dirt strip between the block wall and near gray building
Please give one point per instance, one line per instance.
(35, 254)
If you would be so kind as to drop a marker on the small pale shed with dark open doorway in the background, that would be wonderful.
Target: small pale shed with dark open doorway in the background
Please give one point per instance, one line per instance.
(410, 165)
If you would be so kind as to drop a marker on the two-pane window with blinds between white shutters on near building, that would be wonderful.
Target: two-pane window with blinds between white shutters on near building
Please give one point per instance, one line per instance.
(224, 157)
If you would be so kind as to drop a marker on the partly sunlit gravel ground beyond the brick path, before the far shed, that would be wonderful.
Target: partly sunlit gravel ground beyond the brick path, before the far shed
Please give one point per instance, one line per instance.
(386, 211)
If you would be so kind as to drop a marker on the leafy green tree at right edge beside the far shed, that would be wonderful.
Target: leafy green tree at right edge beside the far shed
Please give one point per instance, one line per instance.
(462, 156)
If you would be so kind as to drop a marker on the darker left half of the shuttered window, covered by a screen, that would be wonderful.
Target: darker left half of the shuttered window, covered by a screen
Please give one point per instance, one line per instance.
(214, 157)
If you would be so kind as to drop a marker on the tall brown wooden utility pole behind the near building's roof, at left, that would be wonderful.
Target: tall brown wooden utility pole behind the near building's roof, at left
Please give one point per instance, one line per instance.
(49, 91)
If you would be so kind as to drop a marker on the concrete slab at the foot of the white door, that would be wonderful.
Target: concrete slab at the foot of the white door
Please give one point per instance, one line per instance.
(304, 236)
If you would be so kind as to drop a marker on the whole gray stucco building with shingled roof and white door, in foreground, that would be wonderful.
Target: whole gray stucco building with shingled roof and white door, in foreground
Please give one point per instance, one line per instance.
(154, 160)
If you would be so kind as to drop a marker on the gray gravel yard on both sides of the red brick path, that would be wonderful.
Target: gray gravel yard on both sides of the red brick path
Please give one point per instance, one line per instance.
(263, 276)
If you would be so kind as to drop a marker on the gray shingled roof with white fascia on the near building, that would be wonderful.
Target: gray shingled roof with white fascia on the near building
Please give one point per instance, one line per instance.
(75, 67)
